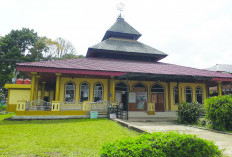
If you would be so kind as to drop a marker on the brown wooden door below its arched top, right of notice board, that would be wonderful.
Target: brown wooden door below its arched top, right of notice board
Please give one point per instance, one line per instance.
(158, 99)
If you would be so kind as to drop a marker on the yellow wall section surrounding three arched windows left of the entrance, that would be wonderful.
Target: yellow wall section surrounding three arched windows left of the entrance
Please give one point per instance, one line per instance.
(78, 82)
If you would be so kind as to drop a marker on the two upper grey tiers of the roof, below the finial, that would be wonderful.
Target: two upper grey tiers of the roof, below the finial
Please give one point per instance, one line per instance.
(120, 42)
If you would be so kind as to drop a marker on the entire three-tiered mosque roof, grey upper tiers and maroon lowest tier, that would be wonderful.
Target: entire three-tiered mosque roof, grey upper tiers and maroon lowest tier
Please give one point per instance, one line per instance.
(120, 54)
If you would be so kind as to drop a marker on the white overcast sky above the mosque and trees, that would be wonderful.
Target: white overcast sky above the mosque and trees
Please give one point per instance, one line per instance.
(194, 33)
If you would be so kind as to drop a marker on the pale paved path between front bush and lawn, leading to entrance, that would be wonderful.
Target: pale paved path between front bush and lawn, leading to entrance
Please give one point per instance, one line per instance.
(224, 141)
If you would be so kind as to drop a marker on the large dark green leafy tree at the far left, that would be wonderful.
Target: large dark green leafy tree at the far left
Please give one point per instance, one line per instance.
(21, 46)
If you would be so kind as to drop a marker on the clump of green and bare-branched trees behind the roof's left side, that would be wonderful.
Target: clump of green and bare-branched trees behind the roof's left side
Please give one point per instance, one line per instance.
(26, 46)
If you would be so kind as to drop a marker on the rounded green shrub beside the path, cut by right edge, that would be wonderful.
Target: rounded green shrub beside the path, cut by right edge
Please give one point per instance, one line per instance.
(219, 112)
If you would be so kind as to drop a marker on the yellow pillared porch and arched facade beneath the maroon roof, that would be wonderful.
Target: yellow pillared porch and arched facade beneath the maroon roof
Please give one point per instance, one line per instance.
(140, 95)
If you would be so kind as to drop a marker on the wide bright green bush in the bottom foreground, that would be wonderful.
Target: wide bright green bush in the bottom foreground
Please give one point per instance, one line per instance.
(161, 144)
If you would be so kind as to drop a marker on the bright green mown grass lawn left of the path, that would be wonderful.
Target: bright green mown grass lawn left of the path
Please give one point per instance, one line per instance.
(74, 137)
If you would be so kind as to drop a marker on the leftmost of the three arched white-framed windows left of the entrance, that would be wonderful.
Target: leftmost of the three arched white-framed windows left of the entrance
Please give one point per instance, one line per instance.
(69, 92)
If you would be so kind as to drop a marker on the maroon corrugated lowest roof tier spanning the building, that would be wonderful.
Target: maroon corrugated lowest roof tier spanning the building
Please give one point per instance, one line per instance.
(126, 66)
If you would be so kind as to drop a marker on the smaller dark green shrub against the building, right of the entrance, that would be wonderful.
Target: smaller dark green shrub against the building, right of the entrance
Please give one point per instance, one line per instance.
(189, 112)
